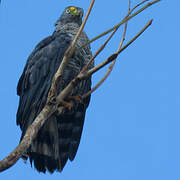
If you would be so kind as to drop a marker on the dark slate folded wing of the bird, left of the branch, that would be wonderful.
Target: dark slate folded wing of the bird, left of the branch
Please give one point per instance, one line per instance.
(37, 76)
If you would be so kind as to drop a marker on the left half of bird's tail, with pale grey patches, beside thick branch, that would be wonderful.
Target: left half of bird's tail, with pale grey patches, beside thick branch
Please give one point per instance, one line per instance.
(44, 151)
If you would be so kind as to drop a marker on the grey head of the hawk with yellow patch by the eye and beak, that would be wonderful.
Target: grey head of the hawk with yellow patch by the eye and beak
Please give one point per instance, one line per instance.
(71, 14)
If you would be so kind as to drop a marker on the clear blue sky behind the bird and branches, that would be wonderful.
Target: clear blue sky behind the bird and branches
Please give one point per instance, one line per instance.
(132, 124)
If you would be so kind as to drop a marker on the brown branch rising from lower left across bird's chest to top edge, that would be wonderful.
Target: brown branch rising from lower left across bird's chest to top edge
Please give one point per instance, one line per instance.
(45, 113)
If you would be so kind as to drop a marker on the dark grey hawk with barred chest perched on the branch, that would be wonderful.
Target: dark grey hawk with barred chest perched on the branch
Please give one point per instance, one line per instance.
(58, 140)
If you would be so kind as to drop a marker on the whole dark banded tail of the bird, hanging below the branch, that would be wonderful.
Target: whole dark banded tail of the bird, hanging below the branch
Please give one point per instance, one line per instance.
(56, 142)
